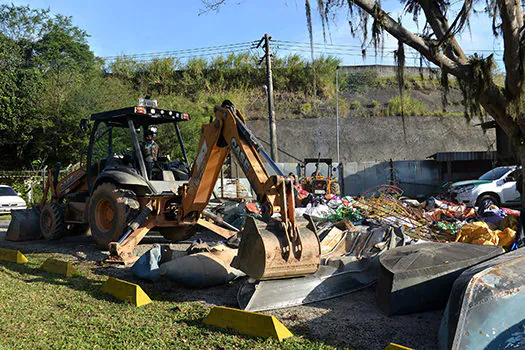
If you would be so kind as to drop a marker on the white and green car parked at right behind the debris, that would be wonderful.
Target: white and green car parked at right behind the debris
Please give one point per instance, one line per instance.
(496, 186)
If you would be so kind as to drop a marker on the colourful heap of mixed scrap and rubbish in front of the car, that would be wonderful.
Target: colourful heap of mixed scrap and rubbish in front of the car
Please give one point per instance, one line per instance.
(431, 220)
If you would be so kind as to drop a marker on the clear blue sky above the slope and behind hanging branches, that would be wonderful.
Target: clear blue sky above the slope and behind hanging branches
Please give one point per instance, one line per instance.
(132, 27)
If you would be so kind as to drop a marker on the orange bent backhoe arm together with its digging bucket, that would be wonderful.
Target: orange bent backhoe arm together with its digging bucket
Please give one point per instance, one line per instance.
(276, 248)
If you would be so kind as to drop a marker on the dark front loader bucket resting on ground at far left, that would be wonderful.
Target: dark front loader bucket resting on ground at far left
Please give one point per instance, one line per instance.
(24, 225)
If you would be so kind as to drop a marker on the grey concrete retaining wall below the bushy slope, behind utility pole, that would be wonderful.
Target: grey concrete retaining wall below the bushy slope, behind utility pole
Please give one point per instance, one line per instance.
(375, 138)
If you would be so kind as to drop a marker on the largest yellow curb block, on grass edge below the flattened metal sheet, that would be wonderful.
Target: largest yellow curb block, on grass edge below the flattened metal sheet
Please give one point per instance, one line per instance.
(249, 323)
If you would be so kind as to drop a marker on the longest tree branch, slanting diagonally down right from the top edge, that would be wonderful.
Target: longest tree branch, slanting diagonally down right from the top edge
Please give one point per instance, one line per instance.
(410, 39)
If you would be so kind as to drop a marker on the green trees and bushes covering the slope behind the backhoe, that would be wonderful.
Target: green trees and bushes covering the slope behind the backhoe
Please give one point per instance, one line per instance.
(50, 79)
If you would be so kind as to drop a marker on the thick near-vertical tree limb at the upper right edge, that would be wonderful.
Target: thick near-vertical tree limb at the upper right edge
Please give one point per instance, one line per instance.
(511, 22)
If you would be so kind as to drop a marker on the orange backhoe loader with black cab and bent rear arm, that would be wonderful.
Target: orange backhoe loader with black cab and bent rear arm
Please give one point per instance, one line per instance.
(121, 204)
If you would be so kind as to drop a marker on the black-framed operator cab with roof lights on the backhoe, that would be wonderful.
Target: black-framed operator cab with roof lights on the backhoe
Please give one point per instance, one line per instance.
(116, 143)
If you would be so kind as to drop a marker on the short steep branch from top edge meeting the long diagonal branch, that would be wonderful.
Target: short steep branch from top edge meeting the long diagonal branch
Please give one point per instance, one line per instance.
(436, 18)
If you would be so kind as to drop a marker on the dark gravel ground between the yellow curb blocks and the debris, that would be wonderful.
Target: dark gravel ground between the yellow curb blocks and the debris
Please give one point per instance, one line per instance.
(352, 321)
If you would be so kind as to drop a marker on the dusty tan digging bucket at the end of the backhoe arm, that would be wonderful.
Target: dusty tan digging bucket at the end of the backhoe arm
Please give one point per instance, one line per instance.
(261, 252)
